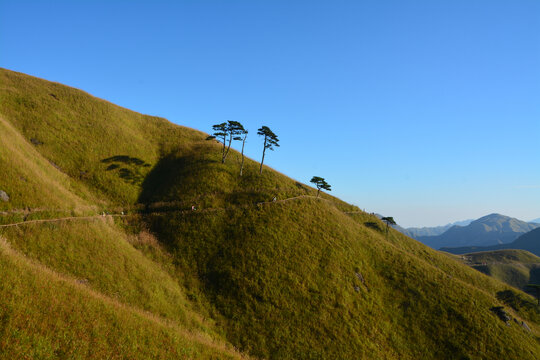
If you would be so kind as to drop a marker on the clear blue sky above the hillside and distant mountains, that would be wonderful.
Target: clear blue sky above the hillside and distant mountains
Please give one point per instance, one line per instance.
(428, 111)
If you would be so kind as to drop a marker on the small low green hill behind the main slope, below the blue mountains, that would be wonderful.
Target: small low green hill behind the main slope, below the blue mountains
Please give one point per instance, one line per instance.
(514, 267)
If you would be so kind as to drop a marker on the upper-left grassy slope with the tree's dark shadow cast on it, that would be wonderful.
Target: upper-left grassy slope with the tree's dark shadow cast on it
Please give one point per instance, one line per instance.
(106, 147)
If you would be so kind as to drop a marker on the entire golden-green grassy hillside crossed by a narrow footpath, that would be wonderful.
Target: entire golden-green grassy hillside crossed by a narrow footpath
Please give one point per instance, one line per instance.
(301, 277)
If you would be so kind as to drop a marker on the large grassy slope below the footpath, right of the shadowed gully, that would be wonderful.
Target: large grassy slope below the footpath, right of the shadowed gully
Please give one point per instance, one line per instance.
(287, 279)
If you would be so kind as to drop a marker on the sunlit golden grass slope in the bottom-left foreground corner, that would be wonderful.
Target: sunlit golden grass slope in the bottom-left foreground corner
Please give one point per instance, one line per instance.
(44, 315)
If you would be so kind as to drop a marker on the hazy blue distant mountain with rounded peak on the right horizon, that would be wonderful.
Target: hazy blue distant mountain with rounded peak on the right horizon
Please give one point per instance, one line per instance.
(488, 230)
